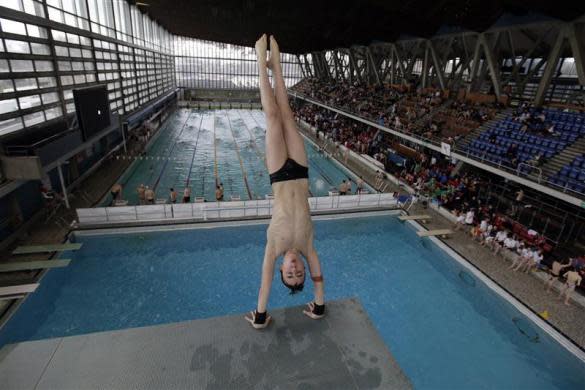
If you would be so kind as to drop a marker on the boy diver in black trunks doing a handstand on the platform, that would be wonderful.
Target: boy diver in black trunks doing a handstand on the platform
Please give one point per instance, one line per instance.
(291, 230)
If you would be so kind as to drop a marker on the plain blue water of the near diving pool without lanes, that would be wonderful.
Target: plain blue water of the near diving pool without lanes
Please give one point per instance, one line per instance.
(444, 327)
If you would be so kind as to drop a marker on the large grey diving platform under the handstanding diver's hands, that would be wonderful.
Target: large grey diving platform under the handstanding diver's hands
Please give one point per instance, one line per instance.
(341, 351)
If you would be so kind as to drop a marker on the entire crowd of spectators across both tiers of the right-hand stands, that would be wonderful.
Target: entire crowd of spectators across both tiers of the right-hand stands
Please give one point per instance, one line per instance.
(432, 177)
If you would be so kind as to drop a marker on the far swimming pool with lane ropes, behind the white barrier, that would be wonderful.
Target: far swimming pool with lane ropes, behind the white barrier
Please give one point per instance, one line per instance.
(198, 148)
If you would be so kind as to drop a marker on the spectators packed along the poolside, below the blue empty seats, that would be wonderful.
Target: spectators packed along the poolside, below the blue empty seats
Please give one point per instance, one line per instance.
(525, 247)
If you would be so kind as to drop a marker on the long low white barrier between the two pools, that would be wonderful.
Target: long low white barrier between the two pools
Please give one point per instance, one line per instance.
(224, 210)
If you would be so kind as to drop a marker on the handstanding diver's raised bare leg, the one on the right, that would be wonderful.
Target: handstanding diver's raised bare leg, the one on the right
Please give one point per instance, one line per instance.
(293, 140)
